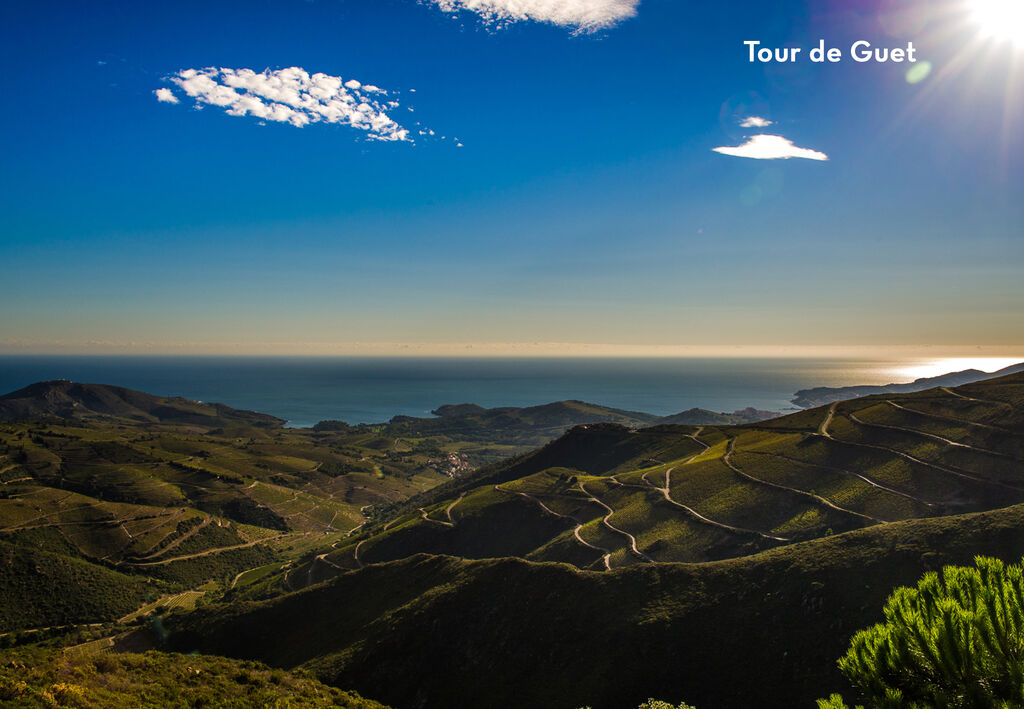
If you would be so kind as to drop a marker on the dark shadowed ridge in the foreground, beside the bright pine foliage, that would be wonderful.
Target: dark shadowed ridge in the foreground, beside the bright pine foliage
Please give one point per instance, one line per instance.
(441, 632)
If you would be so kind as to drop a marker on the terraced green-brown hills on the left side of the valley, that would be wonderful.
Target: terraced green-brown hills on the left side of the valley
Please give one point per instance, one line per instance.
(118, 498)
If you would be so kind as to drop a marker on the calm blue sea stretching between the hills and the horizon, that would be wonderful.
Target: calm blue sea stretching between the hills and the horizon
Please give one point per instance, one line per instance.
(305, 391)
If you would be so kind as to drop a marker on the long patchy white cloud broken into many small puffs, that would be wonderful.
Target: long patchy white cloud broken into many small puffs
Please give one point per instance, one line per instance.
(290, 96)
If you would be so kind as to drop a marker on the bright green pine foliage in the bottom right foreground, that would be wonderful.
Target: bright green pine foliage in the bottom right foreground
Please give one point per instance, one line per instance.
(955, 642)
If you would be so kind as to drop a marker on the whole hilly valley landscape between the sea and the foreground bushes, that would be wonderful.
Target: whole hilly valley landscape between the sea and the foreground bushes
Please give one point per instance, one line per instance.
(605, 557)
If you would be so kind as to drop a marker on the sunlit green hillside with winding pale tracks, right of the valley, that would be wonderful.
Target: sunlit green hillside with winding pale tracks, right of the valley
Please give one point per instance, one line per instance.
(605, 496)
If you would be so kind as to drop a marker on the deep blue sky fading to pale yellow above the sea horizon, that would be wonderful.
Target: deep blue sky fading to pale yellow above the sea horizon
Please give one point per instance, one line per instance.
(586, 205)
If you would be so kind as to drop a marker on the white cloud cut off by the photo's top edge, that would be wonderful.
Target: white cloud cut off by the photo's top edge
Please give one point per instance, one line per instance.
(581, 16)
